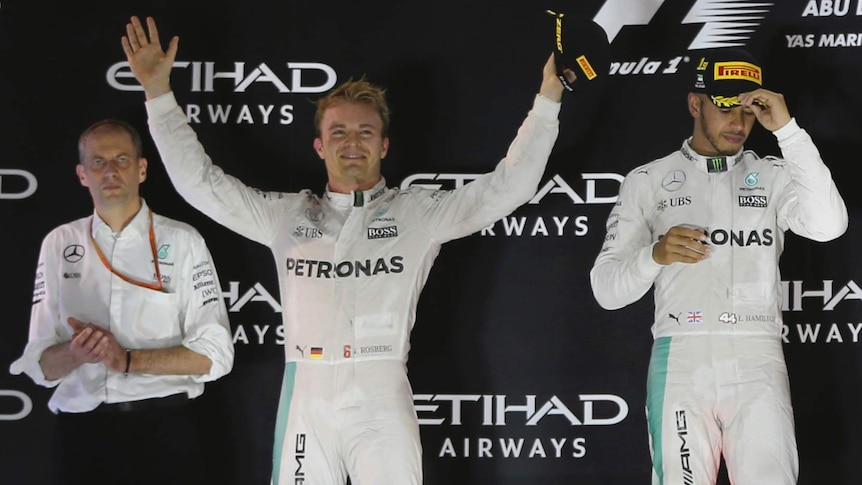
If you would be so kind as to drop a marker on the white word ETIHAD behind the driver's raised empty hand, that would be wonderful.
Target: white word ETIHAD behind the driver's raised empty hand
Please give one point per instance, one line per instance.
(204, 77)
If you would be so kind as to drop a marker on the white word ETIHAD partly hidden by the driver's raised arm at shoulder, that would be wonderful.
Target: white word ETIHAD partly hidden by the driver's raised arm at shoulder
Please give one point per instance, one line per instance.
(599, 188)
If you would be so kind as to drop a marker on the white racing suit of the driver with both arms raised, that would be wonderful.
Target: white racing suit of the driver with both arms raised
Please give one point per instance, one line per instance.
(351, 268)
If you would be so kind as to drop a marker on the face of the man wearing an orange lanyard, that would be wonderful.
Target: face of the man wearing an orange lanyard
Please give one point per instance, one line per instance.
(111, 168)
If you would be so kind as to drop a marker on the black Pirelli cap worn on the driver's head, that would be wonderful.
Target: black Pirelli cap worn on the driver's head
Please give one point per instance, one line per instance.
(722, 74)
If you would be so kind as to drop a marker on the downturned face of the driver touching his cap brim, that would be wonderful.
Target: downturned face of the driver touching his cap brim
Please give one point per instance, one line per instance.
(718, 131)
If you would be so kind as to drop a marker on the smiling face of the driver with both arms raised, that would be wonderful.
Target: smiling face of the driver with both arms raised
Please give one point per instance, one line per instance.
(352, 144)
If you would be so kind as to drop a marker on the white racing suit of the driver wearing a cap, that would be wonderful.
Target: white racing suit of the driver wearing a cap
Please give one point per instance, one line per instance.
(717, 378)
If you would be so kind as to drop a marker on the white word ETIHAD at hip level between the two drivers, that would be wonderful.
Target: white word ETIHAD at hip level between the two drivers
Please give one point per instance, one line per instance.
(493, 410)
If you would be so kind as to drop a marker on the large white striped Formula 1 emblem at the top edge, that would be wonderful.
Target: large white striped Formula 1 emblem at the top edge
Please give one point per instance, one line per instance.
(726, 23)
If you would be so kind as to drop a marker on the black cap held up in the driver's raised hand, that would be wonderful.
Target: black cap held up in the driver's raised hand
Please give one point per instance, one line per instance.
(582, 49)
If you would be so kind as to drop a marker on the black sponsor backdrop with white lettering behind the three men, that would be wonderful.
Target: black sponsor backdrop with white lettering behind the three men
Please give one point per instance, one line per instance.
(518, 375)
